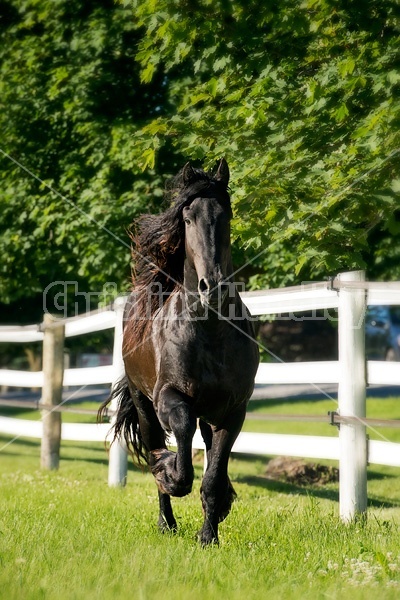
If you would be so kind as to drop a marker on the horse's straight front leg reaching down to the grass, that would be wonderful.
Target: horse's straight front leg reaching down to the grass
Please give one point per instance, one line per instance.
(217, 493)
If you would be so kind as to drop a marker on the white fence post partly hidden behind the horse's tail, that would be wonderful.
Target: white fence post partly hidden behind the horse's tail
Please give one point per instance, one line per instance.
(118, 457)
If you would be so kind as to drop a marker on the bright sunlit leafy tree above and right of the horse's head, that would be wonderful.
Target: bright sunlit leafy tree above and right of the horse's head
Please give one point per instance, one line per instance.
(302, 98)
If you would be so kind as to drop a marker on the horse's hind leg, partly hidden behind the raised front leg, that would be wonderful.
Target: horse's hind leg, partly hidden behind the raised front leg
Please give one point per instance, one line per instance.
(154, 439)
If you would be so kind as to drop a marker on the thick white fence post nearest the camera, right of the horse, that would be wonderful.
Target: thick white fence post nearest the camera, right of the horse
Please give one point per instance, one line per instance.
(352, 403)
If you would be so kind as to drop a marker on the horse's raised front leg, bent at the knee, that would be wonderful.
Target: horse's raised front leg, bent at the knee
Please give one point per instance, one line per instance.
(173, 471)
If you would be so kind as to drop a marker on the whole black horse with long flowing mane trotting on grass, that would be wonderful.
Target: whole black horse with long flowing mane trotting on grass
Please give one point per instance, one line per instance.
(188, 346)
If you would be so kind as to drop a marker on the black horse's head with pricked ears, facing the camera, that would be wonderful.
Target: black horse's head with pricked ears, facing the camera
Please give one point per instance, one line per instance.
(207, 232)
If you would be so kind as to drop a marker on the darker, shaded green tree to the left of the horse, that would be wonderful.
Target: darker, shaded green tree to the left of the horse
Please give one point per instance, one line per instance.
(71, 102)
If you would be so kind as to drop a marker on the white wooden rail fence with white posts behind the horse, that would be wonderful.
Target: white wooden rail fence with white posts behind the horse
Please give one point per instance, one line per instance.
(349, 293)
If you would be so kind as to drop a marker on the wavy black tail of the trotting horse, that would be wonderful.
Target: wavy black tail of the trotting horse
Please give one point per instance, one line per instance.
(126, 423)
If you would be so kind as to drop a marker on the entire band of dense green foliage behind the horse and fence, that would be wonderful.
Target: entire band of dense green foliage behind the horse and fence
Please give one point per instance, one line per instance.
(101, 101)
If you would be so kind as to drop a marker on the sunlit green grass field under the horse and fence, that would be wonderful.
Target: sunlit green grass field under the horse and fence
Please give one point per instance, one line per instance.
(66, 535)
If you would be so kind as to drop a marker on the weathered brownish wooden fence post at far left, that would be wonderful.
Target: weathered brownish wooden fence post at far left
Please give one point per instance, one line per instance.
(53, 374)
